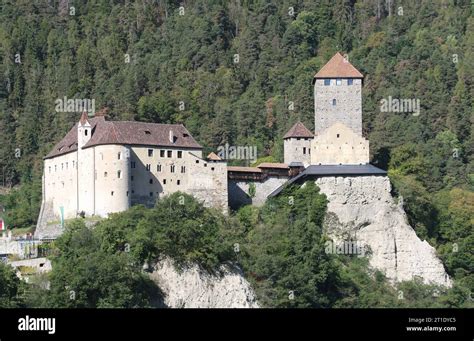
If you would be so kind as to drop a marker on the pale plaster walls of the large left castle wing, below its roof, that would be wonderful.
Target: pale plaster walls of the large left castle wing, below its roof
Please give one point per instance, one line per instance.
(107, 178)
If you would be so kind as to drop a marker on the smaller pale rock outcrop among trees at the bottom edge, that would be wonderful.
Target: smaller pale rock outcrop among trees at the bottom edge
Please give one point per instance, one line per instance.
(193, 287)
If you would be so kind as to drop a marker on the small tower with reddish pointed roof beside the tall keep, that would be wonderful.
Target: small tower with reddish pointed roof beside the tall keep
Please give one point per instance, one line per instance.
(297, 144)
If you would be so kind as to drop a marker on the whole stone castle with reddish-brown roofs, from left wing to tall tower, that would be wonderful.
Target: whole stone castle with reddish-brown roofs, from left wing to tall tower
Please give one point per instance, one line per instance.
(102, 166)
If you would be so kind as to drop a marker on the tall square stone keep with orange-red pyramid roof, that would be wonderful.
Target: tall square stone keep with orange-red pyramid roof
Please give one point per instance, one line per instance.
(338, 115)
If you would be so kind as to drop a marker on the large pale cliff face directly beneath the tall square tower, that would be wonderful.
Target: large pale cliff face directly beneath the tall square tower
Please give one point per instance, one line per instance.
(362, 209)
